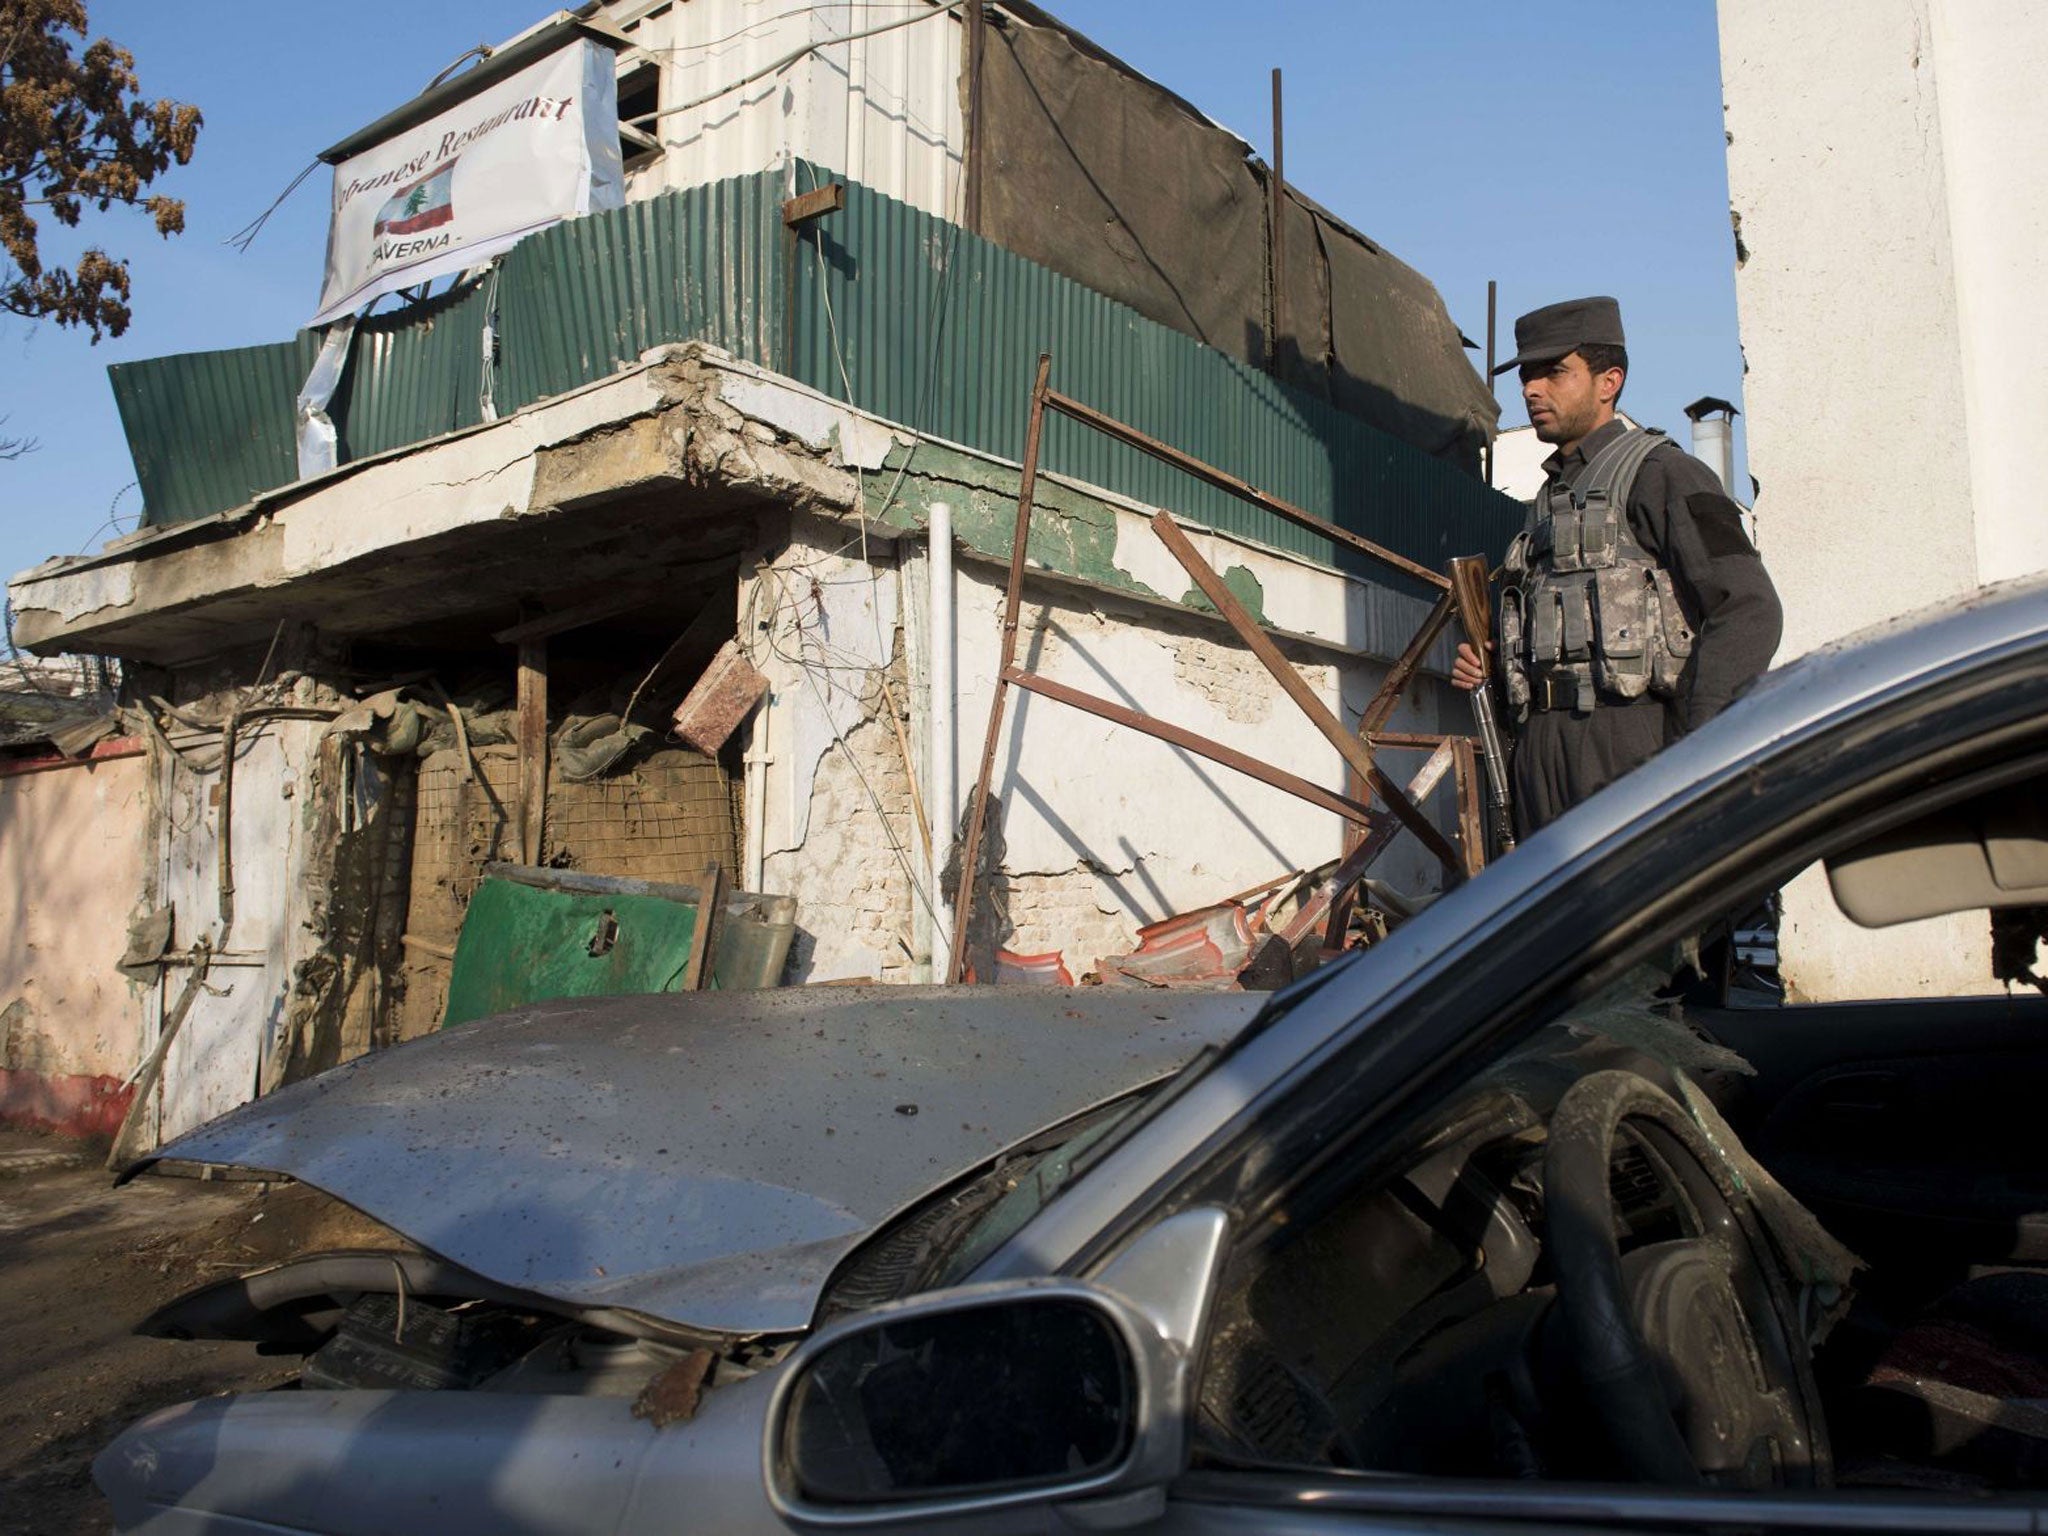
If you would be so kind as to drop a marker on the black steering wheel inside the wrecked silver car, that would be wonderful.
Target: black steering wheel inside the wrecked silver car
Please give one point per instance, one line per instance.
(1691, 1351)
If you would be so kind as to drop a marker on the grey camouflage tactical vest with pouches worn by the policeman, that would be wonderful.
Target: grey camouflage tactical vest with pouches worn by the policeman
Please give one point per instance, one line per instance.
(1586, 611)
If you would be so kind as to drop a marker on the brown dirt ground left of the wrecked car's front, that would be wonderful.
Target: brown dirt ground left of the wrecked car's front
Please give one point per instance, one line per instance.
(81, 1265)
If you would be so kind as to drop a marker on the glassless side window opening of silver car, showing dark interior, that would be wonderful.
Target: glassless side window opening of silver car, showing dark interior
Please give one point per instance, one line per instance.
(1414, 1314)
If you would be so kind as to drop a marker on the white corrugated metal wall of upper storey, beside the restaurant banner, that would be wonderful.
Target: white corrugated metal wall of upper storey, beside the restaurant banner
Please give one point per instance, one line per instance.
(880, 110)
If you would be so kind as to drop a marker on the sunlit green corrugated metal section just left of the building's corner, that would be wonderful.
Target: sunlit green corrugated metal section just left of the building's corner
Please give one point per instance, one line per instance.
(587, 298)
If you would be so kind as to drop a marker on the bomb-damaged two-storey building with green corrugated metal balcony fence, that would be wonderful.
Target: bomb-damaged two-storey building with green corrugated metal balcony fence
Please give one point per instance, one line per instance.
(660, 558)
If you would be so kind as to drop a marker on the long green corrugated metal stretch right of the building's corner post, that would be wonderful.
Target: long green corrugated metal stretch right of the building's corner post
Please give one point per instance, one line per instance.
(955, 359)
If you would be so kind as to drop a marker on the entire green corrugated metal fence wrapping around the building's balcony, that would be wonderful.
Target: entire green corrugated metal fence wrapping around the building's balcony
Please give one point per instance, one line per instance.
(896, 310)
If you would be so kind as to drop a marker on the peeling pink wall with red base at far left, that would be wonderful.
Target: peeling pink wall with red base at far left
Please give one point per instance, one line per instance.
(73, 851)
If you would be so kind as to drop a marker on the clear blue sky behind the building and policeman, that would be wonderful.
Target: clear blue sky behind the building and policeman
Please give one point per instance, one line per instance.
(1562, 151)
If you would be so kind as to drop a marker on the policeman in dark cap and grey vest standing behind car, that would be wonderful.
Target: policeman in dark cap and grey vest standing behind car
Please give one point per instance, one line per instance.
(1635, 607)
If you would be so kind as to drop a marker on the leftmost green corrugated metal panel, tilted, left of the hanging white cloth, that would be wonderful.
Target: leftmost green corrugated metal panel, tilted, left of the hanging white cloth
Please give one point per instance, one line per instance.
(212, 429)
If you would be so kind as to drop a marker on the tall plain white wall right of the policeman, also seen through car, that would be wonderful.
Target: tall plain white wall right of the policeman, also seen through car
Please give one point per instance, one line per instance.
(1885, 171)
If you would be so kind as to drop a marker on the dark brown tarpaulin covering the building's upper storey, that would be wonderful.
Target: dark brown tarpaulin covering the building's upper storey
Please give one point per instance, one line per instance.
(1121, 185)
